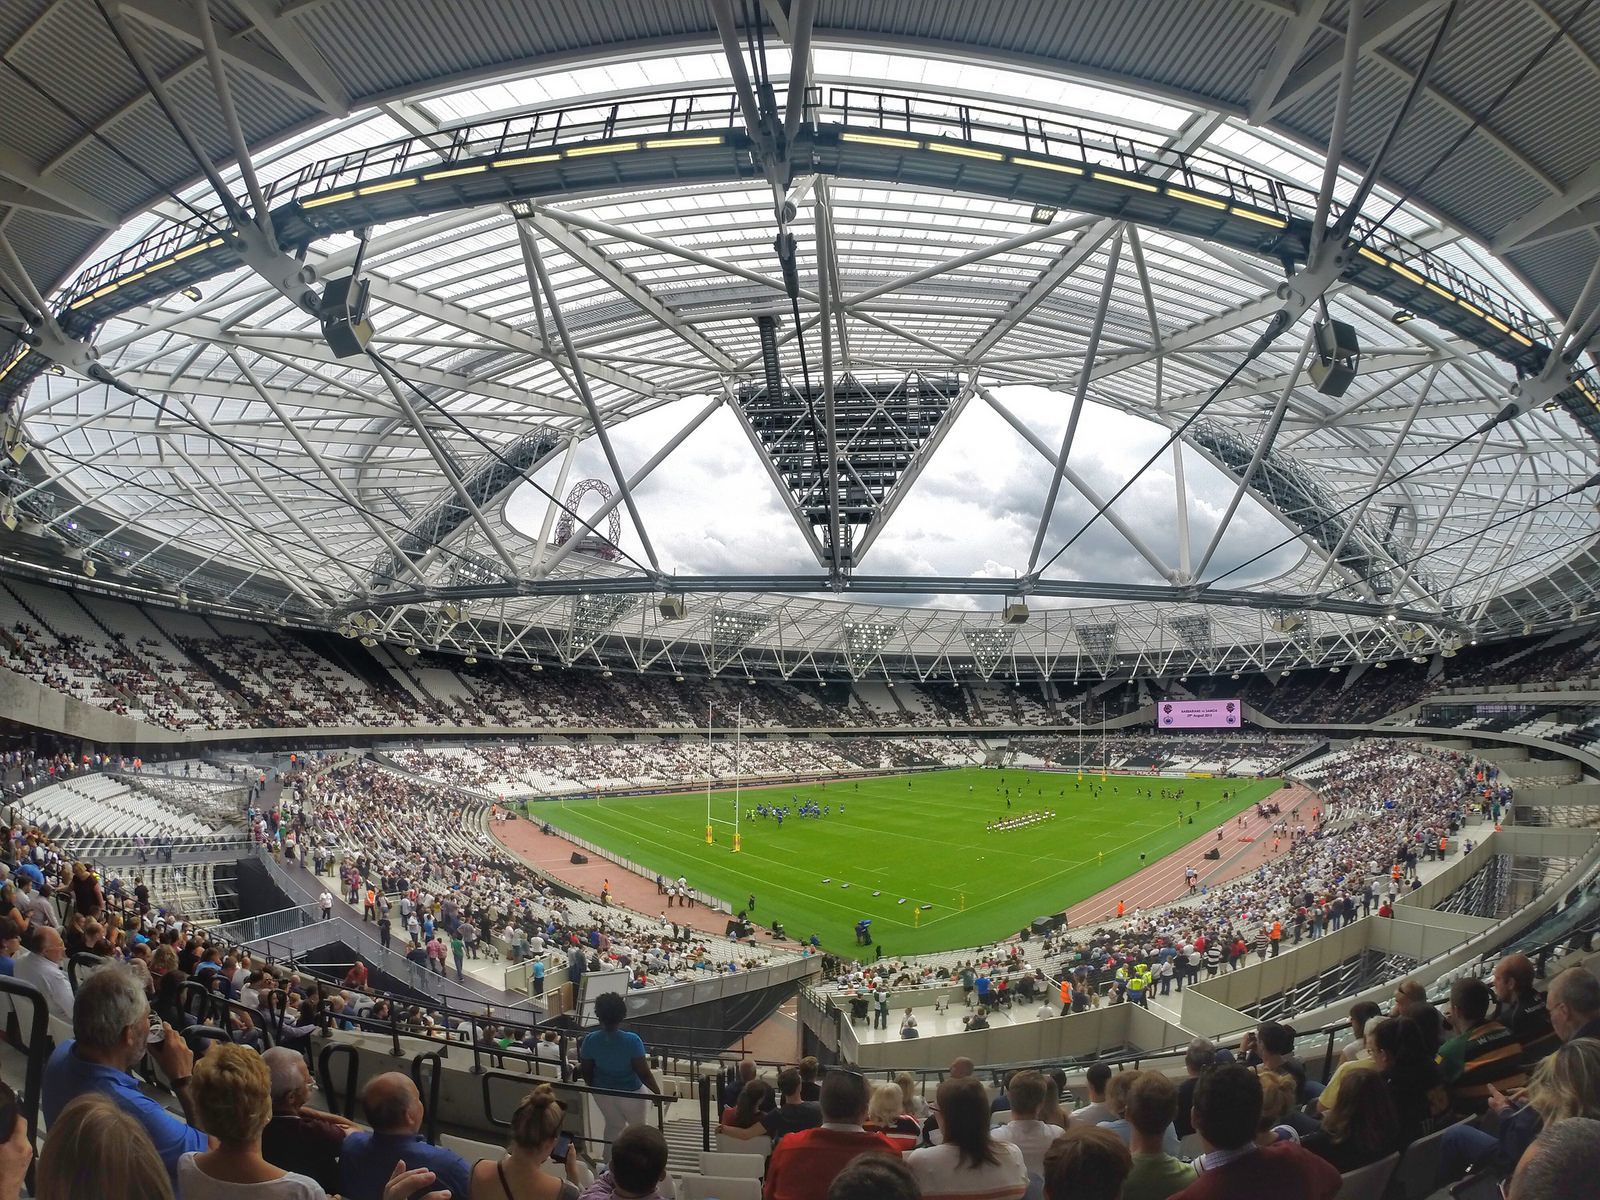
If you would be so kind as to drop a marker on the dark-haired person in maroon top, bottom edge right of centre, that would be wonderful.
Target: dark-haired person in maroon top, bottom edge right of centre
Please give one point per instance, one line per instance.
(1226, 1113)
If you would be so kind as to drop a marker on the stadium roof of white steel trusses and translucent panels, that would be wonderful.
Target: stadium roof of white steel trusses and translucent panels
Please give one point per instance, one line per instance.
(566, 215)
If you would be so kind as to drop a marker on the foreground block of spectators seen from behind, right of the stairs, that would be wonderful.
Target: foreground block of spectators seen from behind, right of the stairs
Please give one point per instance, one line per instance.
(1242, 1124)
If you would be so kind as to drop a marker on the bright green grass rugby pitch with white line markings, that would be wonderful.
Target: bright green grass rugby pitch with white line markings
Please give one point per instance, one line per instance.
(921, 838)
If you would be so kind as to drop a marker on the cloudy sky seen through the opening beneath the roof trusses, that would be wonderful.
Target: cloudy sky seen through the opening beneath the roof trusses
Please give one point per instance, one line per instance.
(713, 510)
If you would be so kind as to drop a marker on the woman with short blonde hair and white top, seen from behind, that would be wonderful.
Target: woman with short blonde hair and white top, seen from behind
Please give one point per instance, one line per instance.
(233, 1095)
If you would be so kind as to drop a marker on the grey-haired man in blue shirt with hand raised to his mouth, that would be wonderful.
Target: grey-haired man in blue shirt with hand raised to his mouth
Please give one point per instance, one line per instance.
(111, 1031)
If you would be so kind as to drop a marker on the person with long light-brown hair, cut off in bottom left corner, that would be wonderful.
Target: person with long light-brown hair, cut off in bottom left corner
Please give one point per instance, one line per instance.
(98, 1151)
